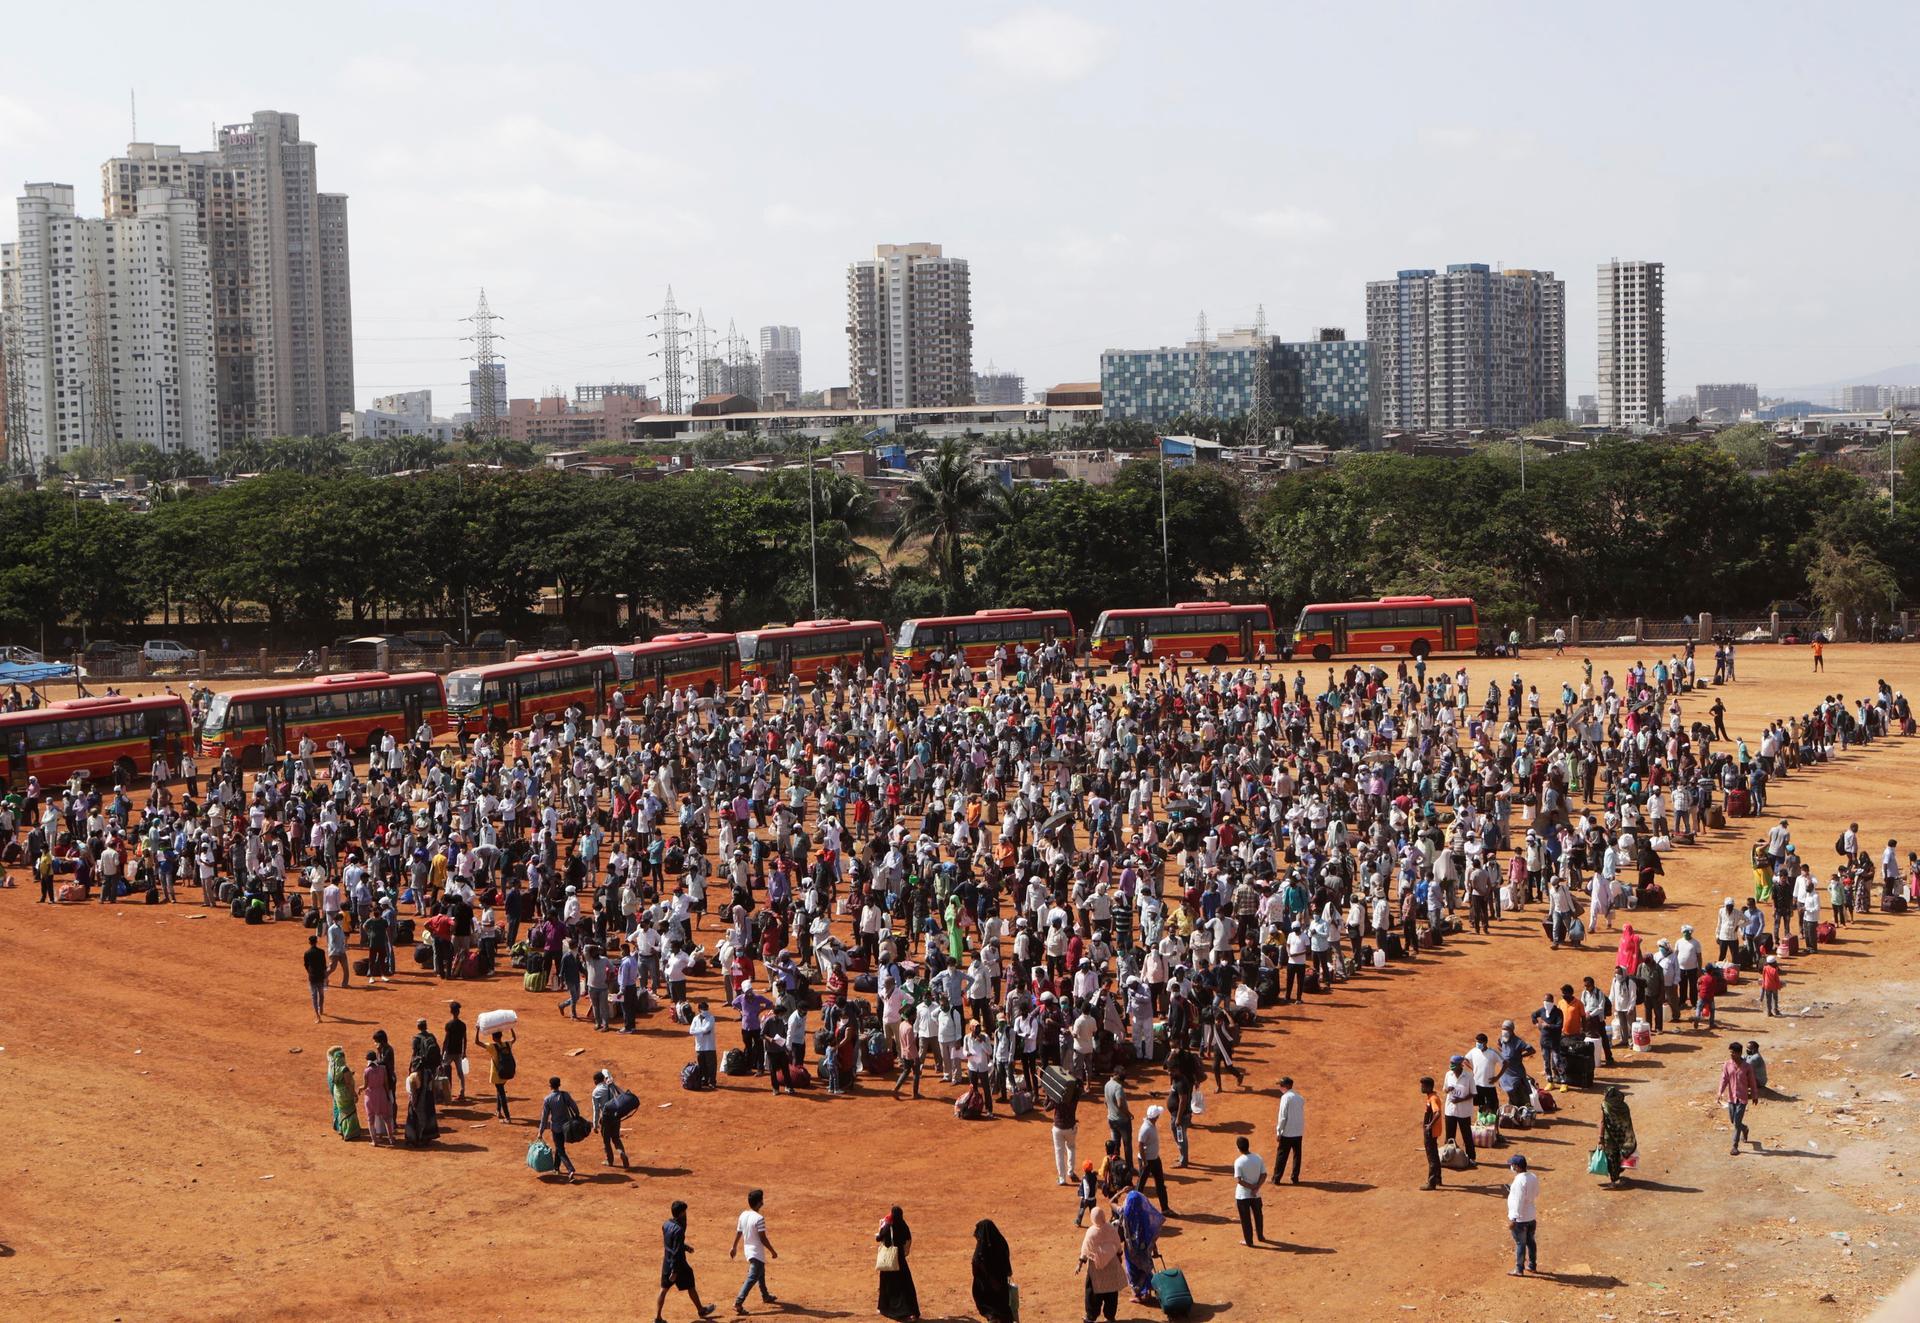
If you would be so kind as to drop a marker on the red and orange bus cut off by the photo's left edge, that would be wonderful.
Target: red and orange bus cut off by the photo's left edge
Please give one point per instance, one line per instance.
(114, 736)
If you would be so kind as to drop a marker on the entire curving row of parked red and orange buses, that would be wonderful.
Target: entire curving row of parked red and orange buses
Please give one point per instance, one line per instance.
(120, 736)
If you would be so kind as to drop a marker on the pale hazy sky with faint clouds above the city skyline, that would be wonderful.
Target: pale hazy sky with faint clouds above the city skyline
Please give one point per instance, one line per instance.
(1109, 170)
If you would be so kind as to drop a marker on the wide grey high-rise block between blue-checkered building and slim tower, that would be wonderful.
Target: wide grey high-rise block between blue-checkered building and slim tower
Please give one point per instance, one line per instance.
(1466, 349)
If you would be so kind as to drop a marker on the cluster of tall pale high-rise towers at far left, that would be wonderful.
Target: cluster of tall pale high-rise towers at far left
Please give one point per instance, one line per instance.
(241, 283)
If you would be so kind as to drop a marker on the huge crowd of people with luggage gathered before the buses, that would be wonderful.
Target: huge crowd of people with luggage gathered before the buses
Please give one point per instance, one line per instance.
(1028, 882)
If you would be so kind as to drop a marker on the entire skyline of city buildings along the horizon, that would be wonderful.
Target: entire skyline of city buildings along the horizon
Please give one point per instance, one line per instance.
(1470, 347)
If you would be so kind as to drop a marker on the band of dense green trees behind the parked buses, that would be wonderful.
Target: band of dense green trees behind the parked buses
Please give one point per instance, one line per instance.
(1614, 531)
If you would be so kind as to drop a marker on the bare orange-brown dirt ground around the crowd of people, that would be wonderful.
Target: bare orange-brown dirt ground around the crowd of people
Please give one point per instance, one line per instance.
(172, 1153)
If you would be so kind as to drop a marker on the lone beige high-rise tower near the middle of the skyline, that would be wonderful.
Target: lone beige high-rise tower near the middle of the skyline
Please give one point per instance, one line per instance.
(909, 329)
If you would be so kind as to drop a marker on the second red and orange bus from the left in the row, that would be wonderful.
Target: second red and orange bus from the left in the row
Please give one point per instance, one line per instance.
(358, 706)
